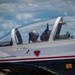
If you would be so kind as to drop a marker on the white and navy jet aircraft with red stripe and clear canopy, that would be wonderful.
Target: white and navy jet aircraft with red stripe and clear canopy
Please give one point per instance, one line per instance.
(40, 44)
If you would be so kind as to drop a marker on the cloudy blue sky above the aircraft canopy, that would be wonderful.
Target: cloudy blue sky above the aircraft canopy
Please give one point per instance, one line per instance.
(14, 13)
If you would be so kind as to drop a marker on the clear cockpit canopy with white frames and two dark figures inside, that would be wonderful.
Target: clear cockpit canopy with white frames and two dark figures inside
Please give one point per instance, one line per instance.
(45, 31)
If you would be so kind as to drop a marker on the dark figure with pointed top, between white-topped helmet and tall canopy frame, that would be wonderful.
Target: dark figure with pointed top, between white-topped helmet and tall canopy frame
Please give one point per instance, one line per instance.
(45, 35)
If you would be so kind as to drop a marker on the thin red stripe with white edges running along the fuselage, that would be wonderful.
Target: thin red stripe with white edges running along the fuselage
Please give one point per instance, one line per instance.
(38, 58)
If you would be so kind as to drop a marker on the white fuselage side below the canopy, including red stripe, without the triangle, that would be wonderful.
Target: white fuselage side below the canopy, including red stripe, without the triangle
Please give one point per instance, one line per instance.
(49, 50)
